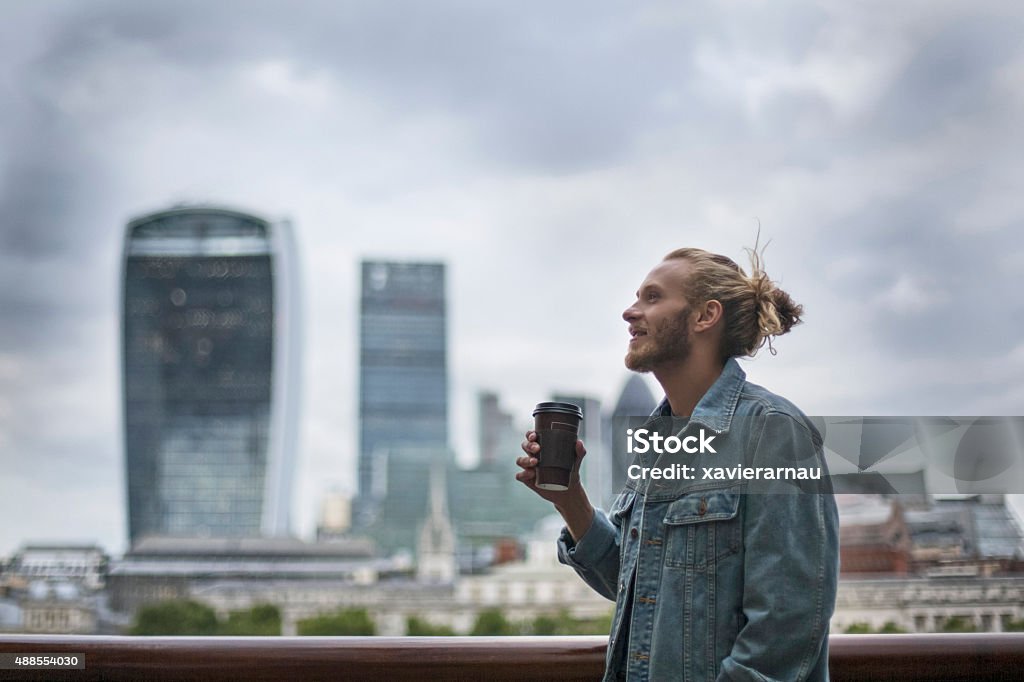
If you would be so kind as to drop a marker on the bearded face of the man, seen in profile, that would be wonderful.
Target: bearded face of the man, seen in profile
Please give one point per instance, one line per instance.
(660, 320)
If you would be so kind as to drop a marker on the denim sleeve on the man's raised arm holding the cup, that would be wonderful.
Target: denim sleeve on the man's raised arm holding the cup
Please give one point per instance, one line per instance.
(596, 558)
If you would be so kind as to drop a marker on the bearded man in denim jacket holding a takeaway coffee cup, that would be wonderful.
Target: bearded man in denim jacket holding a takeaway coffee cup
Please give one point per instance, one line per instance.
(728, 577)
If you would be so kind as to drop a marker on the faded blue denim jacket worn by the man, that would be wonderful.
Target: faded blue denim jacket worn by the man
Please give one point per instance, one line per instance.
(720, 580)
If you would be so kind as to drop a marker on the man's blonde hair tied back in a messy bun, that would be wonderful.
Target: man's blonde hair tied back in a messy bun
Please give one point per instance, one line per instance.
(755, 310)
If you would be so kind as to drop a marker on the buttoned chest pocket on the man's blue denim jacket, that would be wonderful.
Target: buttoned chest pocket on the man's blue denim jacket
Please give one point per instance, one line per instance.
(703, 527)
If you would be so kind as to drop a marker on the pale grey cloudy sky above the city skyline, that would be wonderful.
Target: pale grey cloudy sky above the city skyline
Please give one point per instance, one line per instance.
(535, 149)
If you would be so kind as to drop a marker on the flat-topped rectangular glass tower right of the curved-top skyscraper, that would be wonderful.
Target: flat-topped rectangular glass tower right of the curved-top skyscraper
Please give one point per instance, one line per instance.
(403, 368)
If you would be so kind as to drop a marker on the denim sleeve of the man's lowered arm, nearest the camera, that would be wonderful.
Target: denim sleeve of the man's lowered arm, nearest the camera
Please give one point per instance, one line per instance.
(791, 539)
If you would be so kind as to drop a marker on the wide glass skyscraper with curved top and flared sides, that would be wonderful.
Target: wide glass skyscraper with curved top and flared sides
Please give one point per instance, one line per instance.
(210, 332)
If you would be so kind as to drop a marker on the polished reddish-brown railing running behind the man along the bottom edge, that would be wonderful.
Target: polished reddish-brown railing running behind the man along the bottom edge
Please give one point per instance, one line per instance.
(855, 658)
